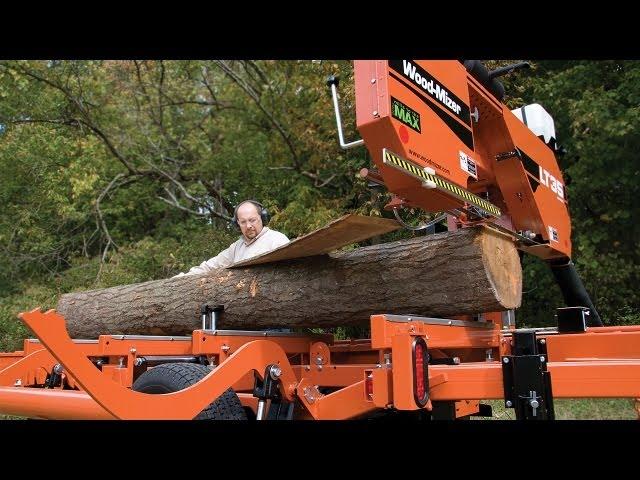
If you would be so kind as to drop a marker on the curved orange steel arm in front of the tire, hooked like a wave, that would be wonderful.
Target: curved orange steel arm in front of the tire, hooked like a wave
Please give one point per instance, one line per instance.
(124, 403)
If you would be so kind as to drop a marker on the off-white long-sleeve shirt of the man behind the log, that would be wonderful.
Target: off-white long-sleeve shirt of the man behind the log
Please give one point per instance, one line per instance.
(242, 249)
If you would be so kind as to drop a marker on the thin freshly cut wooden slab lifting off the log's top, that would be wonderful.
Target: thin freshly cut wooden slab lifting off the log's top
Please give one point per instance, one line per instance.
(343, 231)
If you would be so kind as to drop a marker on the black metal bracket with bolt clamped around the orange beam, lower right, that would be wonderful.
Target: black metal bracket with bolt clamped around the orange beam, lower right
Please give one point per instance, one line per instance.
(527, 383)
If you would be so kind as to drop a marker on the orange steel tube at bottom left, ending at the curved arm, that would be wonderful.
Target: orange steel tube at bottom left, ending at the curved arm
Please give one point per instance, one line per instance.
(51, 404)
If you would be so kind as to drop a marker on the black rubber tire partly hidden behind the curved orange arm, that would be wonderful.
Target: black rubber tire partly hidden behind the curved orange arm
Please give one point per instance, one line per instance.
(173, 377)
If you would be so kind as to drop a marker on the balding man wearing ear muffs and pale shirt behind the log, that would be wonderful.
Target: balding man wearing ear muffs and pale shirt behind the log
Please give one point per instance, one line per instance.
(256, 238)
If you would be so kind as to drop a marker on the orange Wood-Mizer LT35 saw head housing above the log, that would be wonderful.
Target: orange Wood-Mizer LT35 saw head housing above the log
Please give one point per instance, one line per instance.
(443, 141)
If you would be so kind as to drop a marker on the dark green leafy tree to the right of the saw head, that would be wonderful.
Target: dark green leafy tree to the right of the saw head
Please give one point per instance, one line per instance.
(596, 108)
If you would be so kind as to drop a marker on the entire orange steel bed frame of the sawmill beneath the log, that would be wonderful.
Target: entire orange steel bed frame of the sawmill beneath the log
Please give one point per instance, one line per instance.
(331, 380)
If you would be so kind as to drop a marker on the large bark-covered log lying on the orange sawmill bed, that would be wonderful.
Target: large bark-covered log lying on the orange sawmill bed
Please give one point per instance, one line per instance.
(468, 271)
